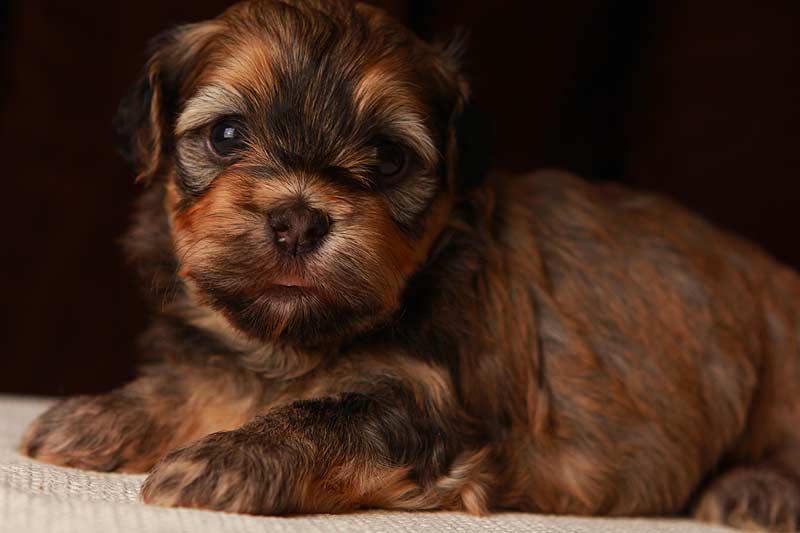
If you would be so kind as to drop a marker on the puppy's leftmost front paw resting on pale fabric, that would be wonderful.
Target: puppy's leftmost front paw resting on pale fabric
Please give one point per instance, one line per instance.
(104, 433)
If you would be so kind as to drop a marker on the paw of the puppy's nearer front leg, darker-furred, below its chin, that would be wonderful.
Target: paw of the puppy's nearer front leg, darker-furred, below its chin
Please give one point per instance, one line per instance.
(222, 472)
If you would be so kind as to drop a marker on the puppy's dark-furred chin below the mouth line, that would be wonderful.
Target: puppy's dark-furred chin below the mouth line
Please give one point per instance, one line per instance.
(297, 313)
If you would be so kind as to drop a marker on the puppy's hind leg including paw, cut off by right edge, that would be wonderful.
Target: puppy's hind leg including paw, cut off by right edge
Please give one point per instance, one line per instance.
(763, 494)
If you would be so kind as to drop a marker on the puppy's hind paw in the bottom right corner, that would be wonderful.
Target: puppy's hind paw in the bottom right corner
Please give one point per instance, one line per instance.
(752, 499)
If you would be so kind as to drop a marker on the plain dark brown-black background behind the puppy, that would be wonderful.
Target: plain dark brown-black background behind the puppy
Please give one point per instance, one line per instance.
(698, 99)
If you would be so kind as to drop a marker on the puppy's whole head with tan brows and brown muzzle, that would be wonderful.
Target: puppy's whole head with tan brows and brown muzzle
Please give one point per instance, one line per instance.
(306, 150)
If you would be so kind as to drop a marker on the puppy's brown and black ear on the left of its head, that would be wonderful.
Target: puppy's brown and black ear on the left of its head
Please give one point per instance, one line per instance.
(143, 126)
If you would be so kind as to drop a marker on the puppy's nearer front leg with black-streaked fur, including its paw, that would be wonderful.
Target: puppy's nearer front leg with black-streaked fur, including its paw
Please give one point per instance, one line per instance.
(335, 454)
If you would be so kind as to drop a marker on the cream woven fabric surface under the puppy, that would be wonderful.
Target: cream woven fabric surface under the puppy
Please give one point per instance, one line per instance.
(38, 498)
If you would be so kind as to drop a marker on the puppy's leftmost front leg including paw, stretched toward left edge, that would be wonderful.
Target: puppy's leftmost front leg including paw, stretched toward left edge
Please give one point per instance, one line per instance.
(131, 428)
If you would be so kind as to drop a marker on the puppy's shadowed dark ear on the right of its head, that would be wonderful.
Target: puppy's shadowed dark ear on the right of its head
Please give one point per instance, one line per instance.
(466, 132)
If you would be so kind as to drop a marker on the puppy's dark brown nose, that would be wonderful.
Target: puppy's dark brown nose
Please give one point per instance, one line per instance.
(298, 229)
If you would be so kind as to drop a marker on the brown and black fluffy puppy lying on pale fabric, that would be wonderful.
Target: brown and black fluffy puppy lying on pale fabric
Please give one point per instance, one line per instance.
(349, 317)
